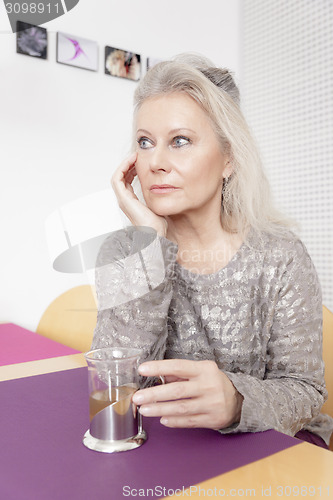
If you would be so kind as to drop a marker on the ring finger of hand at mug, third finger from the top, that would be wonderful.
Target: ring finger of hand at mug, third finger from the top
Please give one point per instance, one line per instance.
(185, 407)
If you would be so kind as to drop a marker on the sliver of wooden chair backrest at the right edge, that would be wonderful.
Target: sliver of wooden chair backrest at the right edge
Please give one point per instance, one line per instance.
(328, 360)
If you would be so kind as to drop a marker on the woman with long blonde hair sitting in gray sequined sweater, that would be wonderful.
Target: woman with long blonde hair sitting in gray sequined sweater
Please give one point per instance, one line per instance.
(235, 325)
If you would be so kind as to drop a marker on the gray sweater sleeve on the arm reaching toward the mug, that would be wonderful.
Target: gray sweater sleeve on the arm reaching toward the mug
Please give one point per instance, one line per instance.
(293, 389)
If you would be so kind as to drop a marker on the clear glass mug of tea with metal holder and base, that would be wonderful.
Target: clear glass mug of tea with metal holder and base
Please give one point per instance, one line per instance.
(115, 422)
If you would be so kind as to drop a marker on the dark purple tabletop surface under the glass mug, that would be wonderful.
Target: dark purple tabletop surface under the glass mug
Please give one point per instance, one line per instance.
(43, 419)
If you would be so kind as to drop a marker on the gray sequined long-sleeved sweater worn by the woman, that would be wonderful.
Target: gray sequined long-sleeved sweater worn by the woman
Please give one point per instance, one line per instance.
(259, 318)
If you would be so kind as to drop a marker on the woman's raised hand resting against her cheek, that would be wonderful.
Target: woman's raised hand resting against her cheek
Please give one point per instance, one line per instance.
(138, 213)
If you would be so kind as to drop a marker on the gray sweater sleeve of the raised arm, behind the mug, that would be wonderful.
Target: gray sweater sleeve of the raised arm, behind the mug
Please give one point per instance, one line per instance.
(133, 281)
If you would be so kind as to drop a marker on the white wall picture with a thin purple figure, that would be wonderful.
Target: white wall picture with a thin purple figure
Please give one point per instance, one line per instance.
(76, 51)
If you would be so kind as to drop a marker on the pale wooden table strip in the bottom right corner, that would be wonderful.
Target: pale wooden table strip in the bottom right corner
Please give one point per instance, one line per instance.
(303, 470)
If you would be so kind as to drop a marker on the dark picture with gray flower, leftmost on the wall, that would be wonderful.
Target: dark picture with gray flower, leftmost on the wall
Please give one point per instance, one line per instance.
(31, 40)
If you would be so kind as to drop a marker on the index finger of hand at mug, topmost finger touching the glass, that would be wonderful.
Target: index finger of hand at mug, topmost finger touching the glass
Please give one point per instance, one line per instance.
(181, 368)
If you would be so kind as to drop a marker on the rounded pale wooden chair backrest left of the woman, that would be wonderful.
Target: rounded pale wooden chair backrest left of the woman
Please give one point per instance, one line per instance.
(71, 318)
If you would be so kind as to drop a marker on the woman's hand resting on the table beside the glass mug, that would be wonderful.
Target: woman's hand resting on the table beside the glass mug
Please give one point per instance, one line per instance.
(197, 394)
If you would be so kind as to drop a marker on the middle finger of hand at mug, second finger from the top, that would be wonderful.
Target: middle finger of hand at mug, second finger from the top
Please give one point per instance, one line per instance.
(167, 392)
